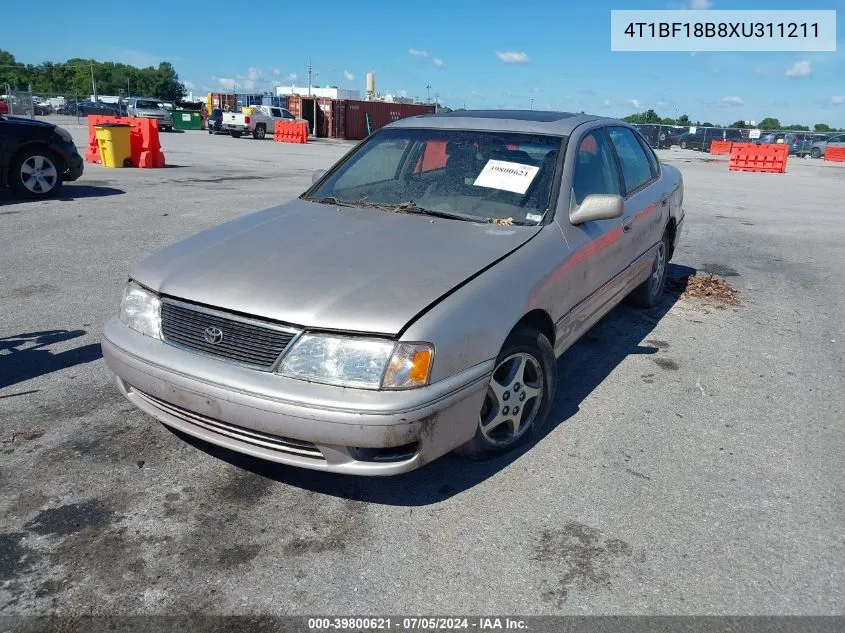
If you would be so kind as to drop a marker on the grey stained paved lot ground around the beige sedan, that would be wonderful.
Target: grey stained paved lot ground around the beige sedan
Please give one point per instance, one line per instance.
(693, 462)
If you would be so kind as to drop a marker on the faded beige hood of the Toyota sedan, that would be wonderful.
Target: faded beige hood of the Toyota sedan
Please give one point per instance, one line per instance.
(324, 267)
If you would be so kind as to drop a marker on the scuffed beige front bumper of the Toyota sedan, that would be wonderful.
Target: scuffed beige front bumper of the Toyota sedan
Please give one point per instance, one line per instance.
(294, 422)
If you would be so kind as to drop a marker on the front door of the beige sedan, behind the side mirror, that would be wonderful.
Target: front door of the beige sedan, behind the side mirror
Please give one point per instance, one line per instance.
(587, 282)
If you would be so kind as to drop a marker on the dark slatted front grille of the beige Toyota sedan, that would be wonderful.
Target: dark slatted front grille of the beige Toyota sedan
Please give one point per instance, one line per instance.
(247, 341)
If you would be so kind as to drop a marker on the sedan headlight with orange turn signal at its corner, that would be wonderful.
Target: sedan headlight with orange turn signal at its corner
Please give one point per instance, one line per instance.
(358, 362)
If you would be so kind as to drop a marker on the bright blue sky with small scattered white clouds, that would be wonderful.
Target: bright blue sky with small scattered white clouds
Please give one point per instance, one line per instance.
(493, 54)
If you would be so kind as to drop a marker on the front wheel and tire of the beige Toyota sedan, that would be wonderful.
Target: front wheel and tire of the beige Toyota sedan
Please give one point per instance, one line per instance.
(525, 366)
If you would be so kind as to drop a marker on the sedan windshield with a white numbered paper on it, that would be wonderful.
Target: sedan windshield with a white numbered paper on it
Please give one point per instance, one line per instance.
(484, 176)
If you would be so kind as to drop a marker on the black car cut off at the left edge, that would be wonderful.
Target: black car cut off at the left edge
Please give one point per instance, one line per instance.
(36, 157)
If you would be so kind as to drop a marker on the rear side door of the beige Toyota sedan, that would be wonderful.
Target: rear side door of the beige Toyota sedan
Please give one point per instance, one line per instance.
(646, 201)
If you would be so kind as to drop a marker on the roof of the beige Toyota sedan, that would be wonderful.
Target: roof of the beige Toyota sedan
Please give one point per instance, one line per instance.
(527, 121)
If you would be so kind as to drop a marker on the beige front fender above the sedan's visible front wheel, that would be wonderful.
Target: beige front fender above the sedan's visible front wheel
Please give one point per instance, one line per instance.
(470, 325)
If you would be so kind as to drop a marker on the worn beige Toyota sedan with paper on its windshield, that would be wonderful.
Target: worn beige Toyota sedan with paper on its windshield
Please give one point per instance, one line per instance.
(441, 328)
